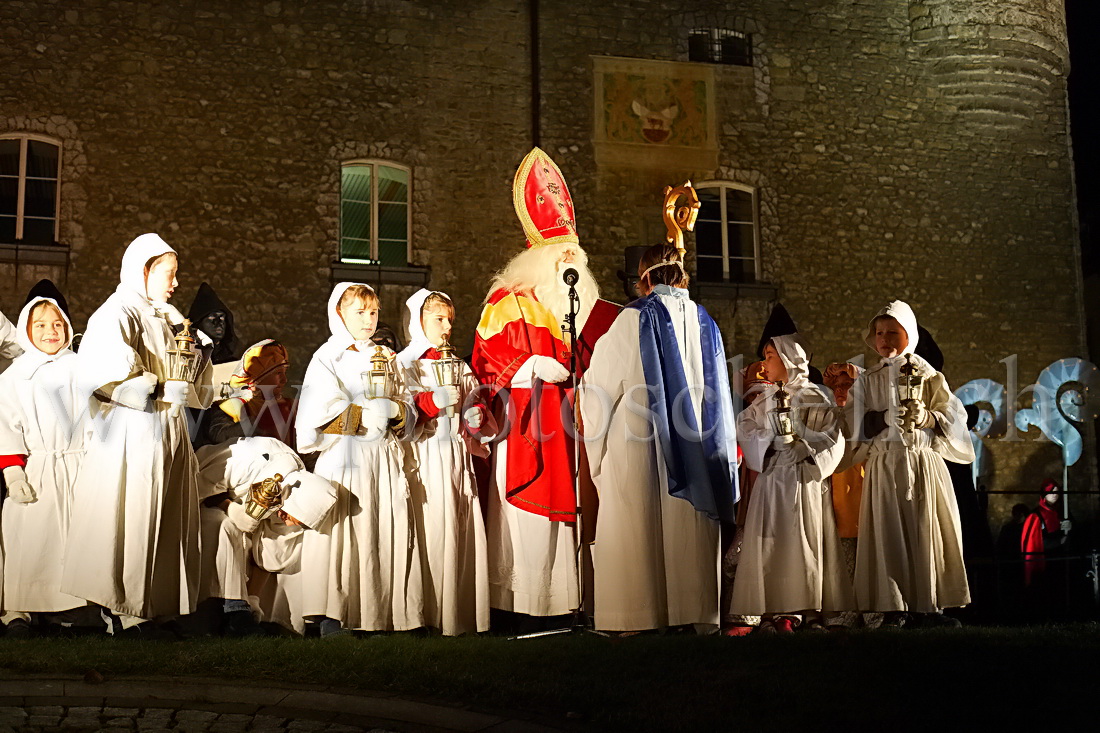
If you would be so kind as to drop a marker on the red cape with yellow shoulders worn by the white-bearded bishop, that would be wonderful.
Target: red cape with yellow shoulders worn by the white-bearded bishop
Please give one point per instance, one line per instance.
(513, 329)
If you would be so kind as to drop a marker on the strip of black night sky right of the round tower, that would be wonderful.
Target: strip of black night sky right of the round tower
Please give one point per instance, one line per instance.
(1083, 19)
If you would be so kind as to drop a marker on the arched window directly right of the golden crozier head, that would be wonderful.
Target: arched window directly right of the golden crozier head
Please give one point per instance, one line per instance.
(728, 234)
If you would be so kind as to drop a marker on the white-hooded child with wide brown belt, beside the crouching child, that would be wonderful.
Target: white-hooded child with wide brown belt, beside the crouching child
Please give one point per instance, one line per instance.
(362, 571)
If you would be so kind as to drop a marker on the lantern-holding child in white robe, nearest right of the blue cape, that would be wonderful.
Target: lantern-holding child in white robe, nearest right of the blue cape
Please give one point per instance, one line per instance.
(791, 563)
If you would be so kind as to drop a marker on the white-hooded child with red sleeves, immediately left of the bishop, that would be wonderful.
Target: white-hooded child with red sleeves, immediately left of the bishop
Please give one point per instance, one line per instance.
(450, 527)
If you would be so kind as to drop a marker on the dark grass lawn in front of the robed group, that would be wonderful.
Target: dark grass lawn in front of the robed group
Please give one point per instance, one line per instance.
(1037, 679)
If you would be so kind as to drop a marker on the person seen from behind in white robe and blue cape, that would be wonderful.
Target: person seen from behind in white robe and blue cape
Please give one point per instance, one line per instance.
(662, 444)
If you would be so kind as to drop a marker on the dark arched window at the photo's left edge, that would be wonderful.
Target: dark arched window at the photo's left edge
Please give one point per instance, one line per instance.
(30, 189)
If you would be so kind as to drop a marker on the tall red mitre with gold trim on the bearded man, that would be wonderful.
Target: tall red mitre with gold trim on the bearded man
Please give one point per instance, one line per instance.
(543, 202)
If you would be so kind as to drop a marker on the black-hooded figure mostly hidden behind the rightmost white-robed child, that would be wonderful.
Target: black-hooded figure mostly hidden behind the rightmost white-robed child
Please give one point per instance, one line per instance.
(977, 540)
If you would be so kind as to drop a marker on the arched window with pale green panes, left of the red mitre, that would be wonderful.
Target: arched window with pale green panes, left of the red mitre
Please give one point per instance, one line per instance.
(376, 215)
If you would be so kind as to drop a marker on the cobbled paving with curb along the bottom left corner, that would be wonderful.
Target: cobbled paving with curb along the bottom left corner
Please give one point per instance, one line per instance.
(161, 704)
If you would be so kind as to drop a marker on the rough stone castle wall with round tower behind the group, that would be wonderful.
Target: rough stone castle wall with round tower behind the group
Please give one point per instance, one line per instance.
(912, 149)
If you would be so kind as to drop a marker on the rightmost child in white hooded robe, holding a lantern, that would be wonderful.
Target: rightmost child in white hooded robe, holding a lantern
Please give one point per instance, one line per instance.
(909, 561)
